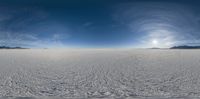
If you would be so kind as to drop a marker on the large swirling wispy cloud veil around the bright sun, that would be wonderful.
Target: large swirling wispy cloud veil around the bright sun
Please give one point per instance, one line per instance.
(171, 23)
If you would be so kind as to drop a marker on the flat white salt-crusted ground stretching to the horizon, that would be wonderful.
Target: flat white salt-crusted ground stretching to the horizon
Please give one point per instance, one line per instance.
(102, 73)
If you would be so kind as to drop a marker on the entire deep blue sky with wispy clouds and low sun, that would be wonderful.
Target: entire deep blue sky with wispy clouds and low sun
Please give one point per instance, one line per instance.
(99, 23)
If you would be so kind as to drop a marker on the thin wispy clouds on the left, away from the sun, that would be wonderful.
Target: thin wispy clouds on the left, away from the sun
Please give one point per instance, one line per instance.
(17, 28)
